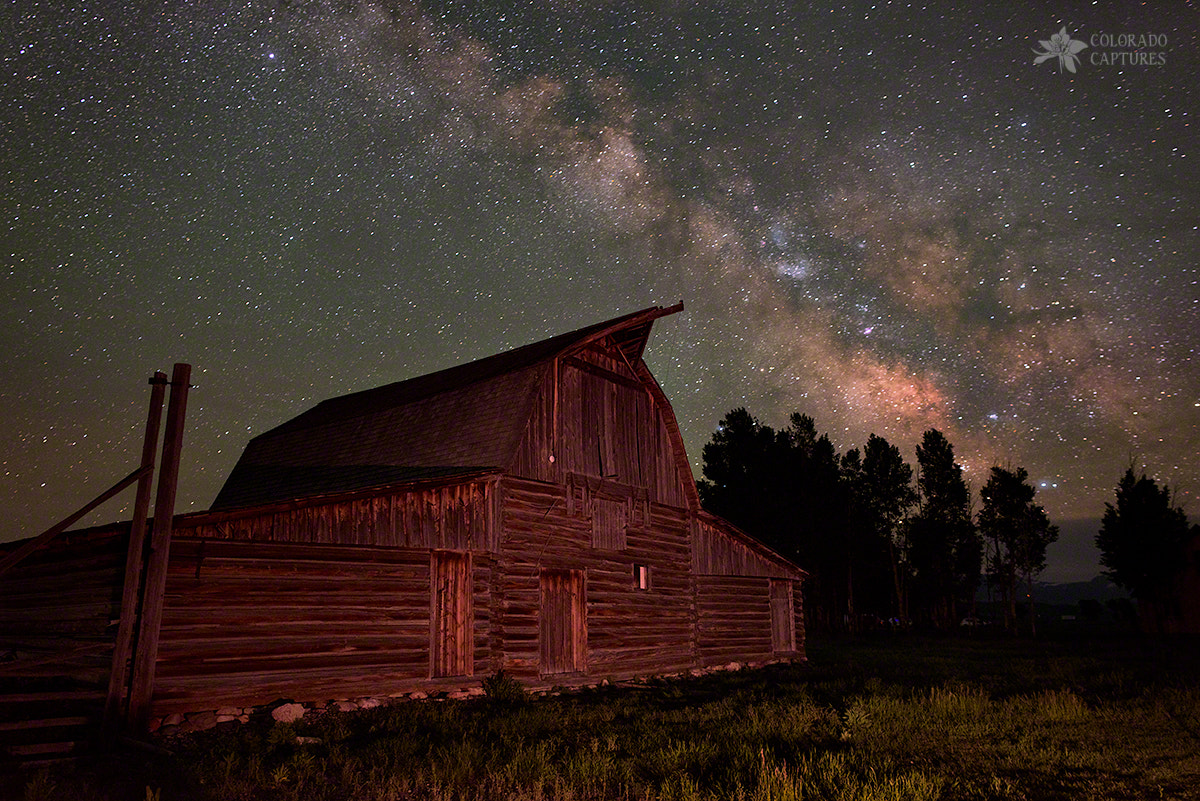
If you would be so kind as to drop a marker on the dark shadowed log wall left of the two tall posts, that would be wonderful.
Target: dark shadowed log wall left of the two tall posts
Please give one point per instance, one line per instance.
(61, 606)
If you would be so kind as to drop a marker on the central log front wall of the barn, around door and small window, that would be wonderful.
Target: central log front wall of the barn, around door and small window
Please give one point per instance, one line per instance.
(631, 633)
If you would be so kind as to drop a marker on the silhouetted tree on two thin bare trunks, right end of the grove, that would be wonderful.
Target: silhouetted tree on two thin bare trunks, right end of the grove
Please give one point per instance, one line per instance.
(1019, 532)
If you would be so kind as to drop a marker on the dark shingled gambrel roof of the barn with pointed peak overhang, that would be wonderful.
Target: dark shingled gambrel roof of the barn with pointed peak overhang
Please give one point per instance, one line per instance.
(460, 420)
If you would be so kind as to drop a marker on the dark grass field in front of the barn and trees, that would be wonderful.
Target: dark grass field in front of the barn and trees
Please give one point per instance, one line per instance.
(874, 719)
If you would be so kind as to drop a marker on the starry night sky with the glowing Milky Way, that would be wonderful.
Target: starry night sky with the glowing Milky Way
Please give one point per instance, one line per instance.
(885, 218)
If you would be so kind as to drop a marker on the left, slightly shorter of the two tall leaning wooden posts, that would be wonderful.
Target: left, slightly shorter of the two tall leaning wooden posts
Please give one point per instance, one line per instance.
(131, 594)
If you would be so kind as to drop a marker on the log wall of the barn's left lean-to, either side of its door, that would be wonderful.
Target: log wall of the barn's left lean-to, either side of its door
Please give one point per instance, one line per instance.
(250, 623)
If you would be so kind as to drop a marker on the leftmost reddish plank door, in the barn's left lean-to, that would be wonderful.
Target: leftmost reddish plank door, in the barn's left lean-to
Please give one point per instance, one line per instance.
(452, 619)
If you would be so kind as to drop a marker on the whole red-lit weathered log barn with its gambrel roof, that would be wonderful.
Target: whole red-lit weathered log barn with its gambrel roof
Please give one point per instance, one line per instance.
(532, 513)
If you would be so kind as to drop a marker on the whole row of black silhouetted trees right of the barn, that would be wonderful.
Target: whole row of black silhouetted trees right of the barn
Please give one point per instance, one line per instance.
(885, 544)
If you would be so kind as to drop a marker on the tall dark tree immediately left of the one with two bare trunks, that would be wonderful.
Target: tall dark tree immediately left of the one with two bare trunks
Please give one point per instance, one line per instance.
(946, 552)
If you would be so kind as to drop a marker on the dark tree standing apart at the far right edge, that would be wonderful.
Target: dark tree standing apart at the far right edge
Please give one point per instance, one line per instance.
(1142, 544)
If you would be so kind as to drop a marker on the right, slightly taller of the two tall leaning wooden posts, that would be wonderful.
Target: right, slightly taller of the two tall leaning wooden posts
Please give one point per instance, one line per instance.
(142, 686)
